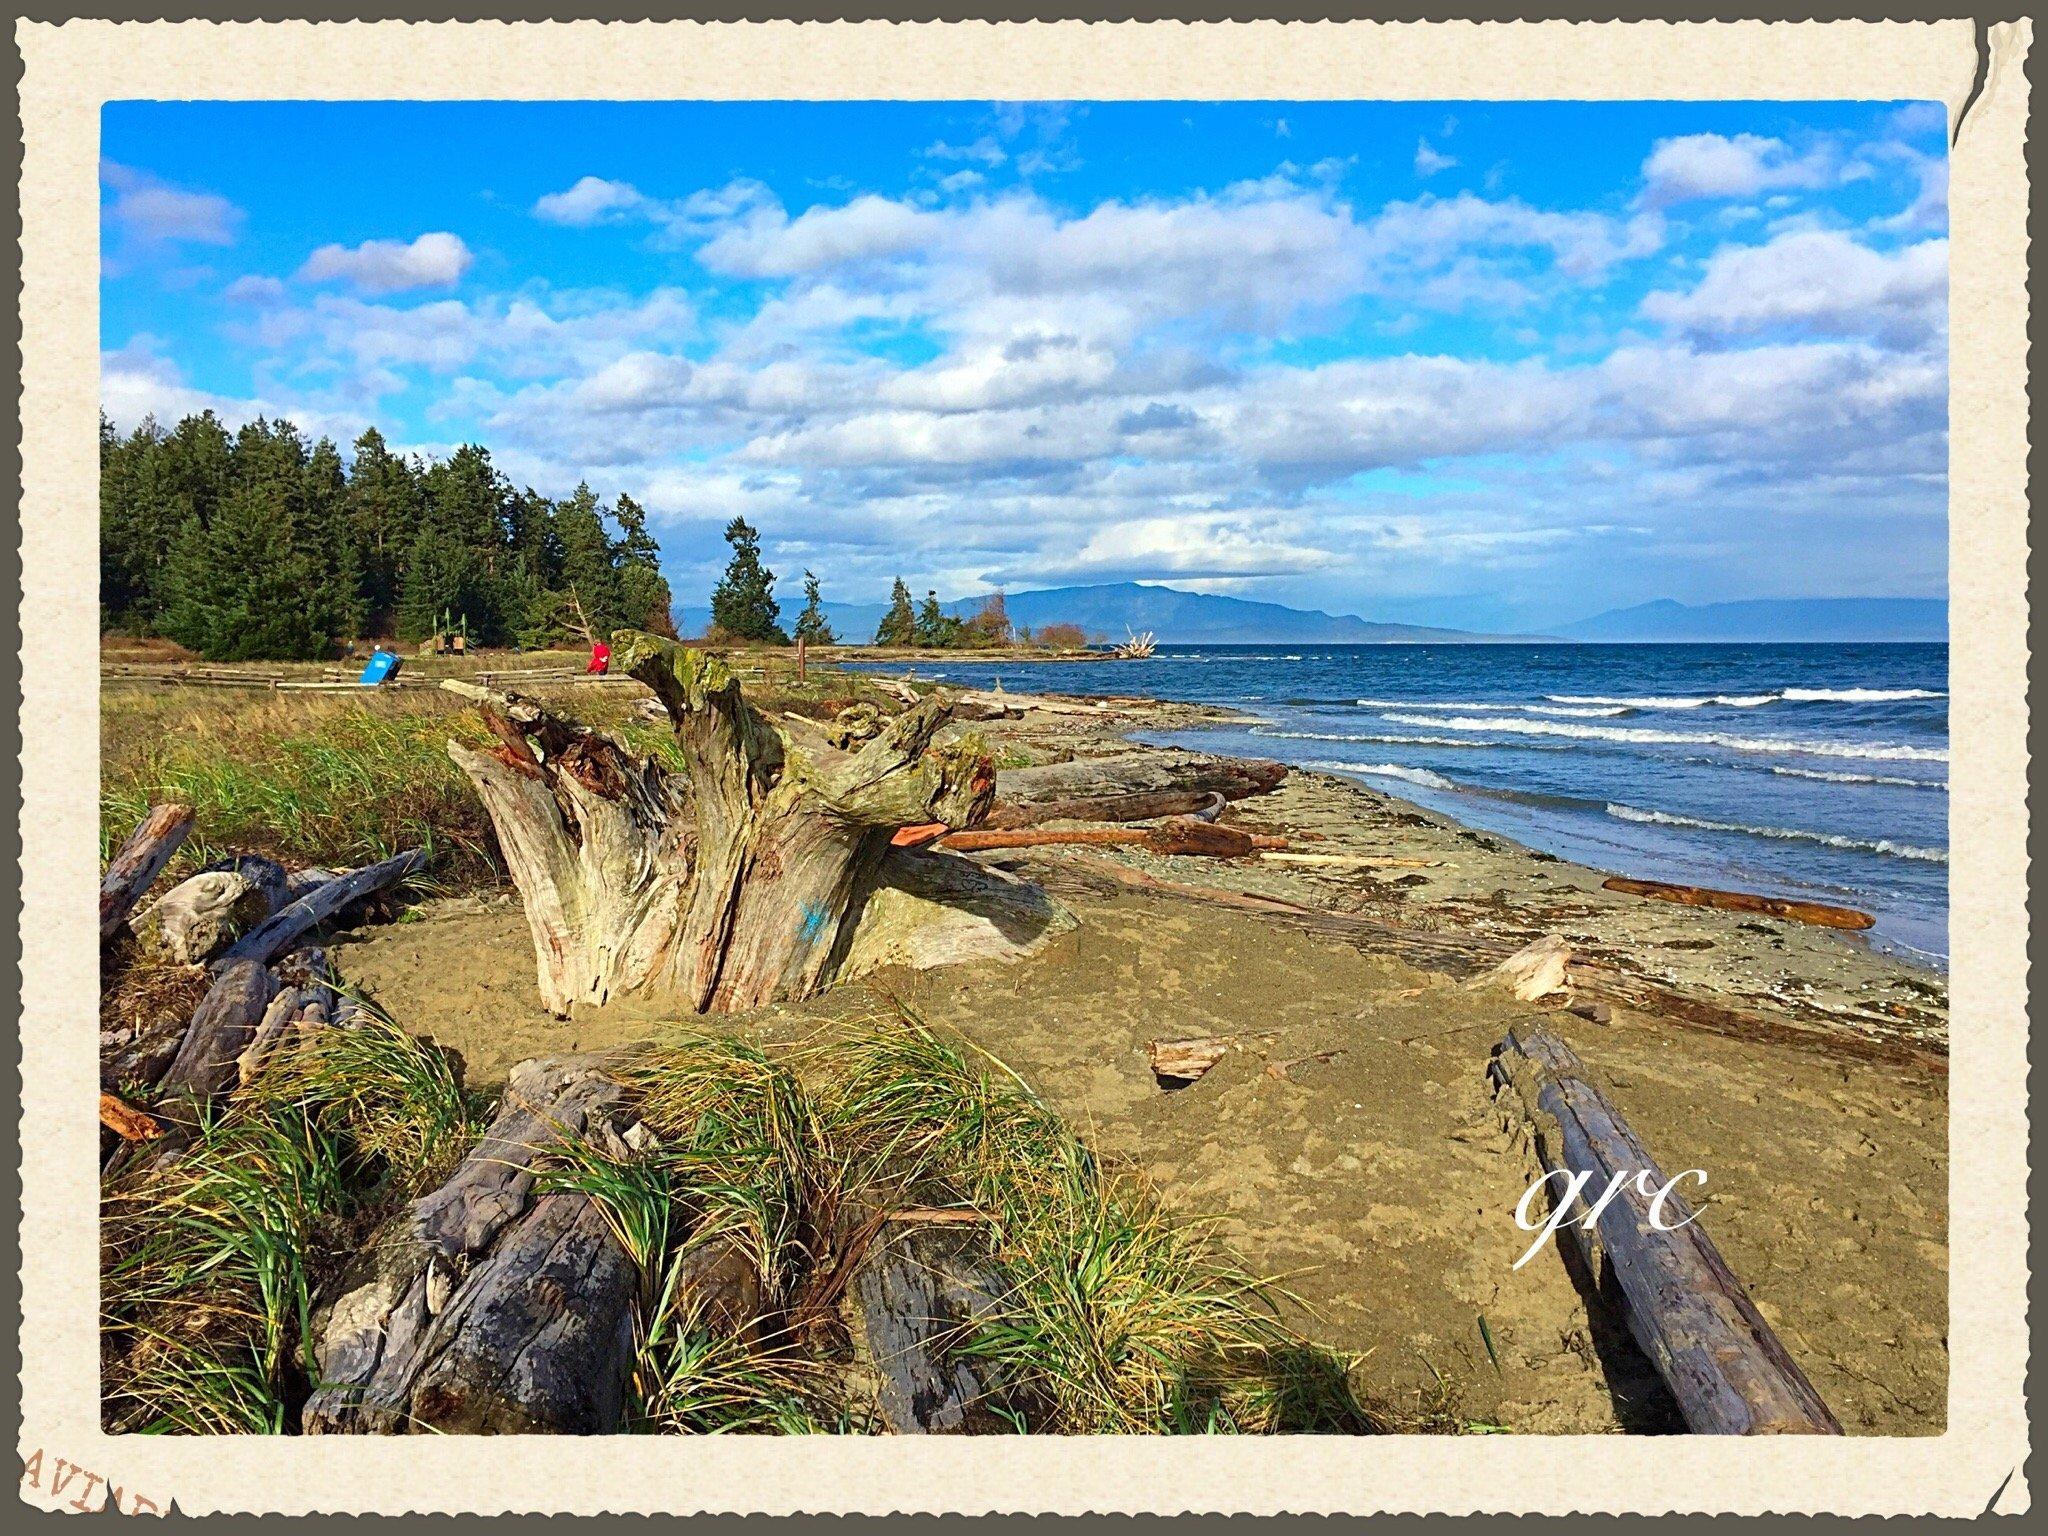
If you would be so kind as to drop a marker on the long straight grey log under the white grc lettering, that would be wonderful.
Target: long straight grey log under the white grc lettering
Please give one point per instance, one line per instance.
(1693, 1318)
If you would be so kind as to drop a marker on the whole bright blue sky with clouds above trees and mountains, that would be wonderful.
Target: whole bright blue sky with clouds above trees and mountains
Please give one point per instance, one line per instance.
(1465, 364)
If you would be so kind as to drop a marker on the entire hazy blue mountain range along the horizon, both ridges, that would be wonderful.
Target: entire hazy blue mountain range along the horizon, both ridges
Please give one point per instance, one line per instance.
(1209, 620)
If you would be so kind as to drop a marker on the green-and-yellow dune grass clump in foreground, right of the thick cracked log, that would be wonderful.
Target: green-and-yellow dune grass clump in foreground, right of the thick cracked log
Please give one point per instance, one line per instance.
(1113, 1318)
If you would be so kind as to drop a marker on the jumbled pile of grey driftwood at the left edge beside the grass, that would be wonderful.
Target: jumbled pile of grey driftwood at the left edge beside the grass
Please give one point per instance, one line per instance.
(247, 921)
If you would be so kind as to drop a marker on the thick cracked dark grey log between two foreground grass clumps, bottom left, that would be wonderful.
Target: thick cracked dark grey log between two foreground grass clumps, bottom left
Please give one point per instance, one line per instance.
(495, 1308)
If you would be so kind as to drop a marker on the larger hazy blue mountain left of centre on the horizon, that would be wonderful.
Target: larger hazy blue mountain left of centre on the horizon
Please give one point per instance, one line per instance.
(1175, 617)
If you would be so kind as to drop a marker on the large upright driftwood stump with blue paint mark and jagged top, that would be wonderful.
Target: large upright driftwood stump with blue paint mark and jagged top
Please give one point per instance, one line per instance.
(730, 884)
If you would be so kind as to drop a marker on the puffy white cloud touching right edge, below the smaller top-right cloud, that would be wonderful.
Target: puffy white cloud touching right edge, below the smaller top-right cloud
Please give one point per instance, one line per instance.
(1814, 280)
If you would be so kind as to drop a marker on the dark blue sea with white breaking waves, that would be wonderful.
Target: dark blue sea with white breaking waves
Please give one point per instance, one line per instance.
(1807, 771)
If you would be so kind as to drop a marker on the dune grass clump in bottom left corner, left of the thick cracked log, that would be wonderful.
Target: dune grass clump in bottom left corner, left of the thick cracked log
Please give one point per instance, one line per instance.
(212, 1267)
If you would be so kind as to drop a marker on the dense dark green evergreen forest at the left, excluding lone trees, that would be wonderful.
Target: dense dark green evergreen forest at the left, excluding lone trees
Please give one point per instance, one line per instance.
(261, 546)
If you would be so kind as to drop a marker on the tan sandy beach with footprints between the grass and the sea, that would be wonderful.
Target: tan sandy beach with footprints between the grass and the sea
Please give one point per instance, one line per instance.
(1349, 1144)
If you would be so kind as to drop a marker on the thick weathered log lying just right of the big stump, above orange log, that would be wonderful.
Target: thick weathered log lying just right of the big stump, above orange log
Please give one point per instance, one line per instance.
(1125, 787)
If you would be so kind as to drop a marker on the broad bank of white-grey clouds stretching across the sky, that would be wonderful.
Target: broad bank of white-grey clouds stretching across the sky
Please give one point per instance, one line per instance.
(1166, 388)
